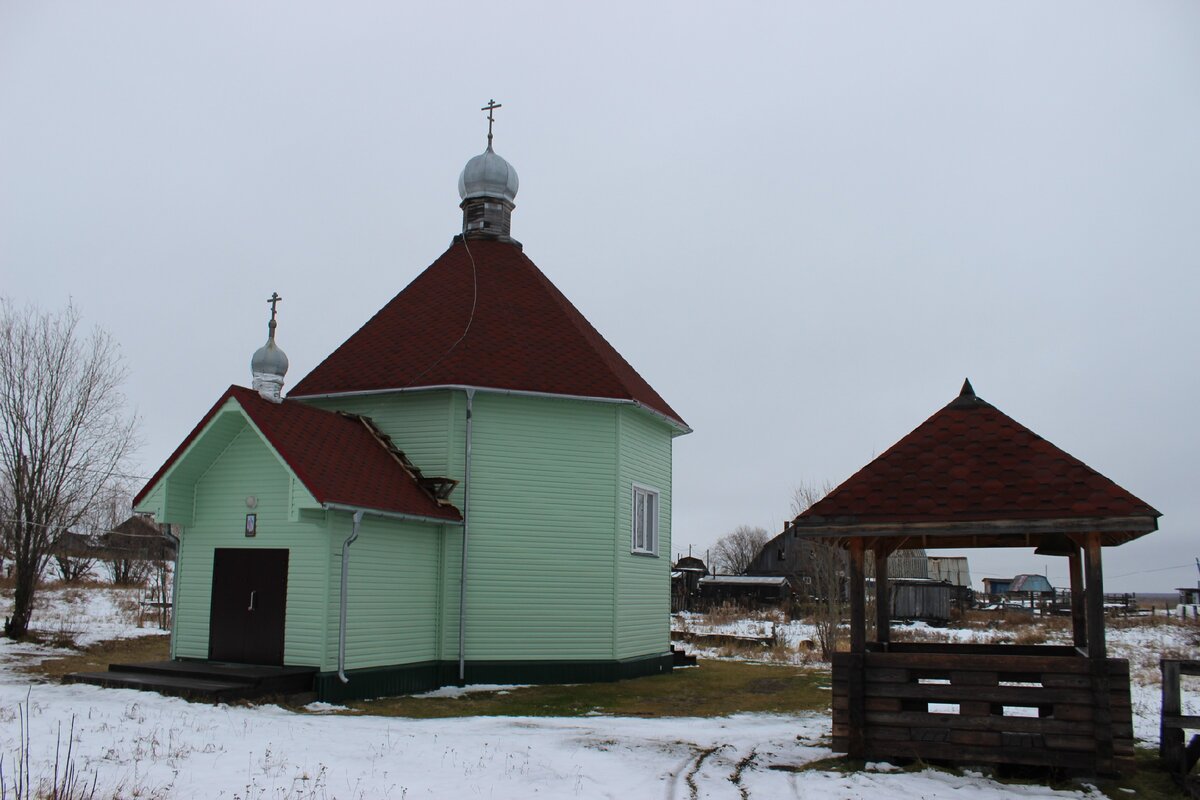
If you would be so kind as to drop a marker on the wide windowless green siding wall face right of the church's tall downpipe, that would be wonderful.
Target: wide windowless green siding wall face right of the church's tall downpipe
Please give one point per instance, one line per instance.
(541, 581)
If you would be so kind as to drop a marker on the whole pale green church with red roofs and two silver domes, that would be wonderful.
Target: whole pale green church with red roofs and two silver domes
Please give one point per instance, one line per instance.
(475, 488)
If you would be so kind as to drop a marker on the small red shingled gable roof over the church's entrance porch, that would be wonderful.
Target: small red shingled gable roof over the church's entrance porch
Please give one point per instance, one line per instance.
(335, 456)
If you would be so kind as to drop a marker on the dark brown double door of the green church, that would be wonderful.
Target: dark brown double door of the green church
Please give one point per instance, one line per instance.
(250, 598)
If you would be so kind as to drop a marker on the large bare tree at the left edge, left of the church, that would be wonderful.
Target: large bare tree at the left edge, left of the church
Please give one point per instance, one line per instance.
(65, 436)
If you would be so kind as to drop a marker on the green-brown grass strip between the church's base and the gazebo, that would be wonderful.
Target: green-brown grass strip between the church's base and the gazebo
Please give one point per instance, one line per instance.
(713, 689)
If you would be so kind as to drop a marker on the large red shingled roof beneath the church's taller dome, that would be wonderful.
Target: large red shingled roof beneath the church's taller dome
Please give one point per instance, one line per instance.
(485, 318)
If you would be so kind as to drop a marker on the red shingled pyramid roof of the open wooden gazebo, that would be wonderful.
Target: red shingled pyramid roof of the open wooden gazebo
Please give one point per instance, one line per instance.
(970, 462)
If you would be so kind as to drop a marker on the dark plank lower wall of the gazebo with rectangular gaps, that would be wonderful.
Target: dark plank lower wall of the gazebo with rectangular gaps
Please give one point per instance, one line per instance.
(985, 705)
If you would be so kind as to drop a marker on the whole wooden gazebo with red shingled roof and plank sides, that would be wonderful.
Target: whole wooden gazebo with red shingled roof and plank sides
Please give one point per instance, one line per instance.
(971, 477)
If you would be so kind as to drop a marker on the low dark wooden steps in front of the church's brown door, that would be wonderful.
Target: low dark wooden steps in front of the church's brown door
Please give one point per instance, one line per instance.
(203, 681)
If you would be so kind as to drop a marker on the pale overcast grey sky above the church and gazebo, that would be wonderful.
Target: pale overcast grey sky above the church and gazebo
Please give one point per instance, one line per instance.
(803, 224)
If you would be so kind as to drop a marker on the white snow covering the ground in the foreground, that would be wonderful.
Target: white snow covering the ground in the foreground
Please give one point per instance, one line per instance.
(142, 745)
